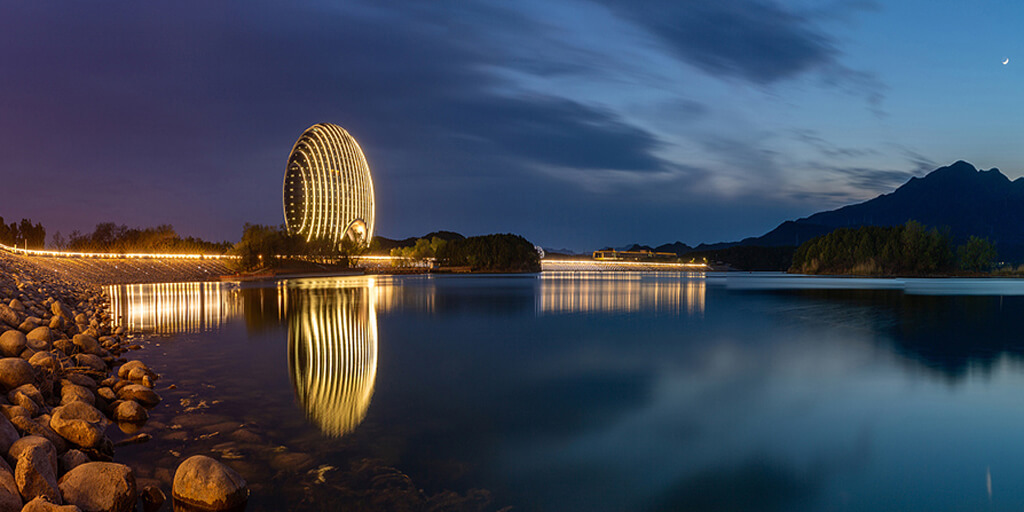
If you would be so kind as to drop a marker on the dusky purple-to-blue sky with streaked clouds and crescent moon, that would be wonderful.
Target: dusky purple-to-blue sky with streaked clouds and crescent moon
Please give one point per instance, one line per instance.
(577, 124)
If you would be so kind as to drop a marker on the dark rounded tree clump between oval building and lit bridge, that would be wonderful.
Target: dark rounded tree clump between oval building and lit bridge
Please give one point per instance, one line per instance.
(505, 253)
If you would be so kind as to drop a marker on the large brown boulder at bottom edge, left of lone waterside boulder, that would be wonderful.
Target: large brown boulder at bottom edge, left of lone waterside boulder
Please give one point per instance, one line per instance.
(101, 487)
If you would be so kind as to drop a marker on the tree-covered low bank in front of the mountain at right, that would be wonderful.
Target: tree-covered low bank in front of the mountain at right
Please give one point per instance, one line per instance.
(906, 250)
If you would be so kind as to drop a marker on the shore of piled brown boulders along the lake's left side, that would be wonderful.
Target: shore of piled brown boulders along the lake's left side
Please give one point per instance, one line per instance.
(65, 379)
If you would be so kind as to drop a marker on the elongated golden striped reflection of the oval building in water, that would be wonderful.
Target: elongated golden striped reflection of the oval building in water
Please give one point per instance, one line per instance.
(332, 351)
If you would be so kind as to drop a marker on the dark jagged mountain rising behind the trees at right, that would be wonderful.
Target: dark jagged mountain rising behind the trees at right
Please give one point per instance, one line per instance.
(957, 197)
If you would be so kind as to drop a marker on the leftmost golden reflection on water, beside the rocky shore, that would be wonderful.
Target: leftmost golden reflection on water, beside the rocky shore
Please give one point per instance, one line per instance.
(174, 308)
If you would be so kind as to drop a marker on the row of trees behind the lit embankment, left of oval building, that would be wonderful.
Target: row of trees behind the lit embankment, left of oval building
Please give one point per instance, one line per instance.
(110, 238)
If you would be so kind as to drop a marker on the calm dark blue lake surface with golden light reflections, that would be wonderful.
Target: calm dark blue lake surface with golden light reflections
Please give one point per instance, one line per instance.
(596, 392)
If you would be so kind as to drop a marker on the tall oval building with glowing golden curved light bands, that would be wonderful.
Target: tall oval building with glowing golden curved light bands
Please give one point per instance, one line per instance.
(328, 192)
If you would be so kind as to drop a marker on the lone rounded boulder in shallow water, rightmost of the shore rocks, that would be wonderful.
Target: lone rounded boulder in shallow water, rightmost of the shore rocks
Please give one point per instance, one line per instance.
(204, 483)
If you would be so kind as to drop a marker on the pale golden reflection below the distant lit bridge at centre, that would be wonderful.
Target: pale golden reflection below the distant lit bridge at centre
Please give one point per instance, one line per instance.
(622, 292)
